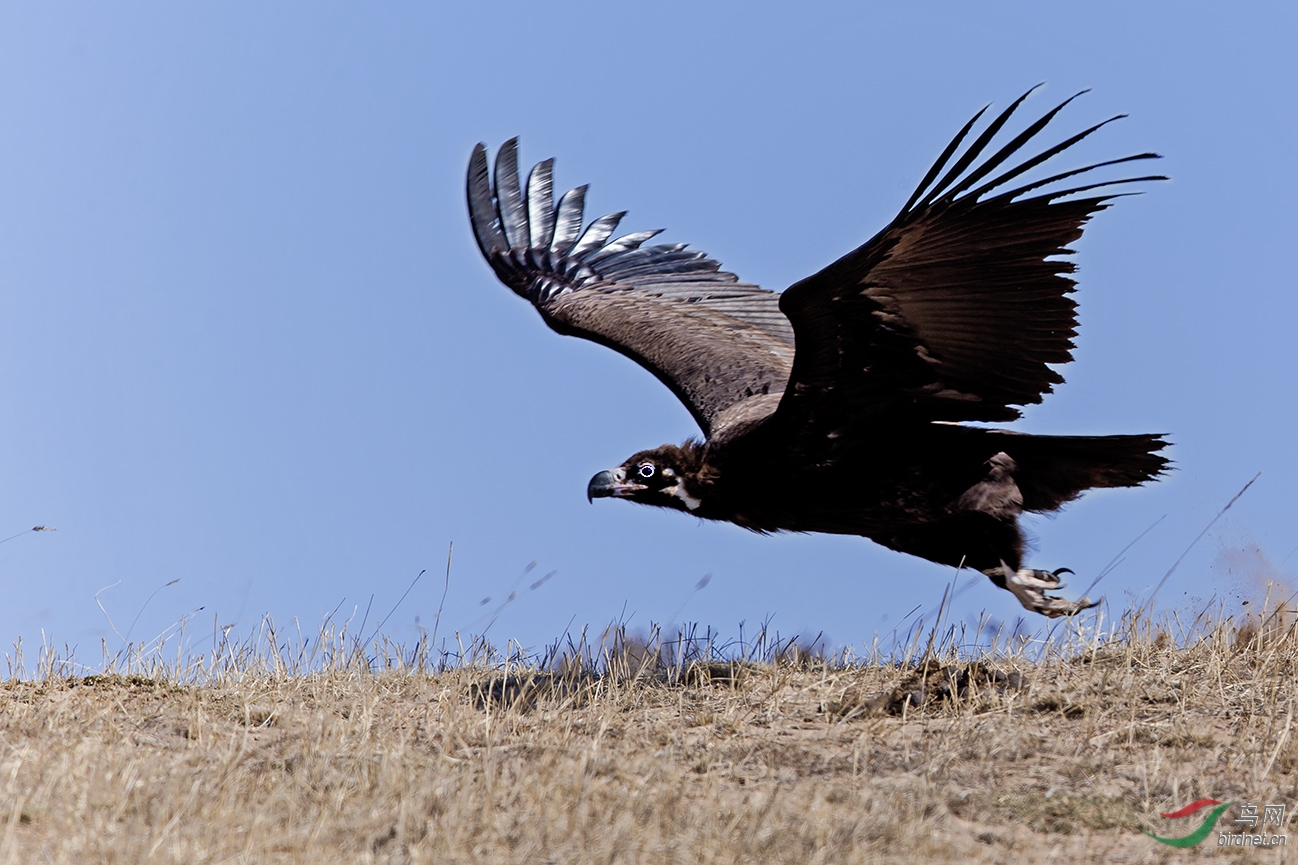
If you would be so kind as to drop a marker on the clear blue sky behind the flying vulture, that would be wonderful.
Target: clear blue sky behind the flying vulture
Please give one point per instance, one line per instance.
(247, 341)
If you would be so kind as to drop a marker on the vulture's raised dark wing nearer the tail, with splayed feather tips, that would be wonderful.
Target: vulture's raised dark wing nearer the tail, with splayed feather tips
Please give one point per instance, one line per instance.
(959, 308)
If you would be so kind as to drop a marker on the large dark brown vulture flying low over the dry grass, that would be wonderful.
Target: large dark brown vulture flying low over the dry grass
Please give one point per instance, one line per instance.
(844, 405)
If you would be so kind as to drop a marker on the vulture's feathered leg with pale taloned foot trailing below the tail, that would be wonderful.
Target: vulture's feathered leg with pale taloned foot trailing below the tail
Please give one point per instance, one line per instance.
(999, 497)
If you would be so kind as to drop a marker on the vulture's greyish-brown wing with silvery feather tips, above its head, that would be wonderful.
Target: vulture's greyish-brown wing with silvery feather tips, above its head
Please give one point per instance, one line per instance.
(715, 341)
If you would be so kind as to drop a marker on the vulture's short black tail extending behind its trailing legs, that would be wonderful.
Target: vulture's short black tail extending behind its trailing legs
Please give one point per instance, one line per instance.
(1055, 470)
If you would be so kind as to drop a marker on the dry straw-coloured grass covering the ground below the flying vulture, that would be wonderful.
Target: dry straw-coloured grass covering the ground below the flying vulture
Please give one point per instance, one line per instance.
(333, 757)
